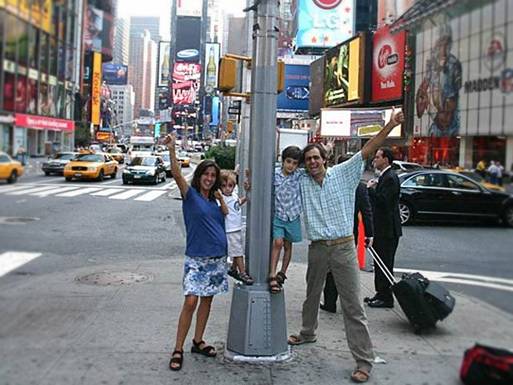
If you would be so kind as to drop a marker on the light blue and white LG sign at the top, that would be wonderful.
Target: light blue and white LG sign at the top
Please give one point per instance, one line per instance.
(324, 23)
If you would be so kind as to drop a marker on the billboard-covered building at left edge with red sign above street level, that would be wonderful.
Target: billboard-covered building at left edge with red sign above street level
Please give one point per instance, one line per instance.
(40, 74)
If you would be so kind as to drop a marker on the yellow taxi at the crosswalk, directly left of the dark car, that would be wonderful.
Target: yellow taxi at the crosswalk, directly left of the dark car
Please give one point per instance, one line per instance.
(91, 165)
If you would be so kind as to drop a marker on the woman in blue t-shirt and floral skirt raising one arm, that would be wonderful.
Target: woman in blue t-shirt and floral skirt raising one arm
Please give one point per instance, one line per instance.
(205, 270)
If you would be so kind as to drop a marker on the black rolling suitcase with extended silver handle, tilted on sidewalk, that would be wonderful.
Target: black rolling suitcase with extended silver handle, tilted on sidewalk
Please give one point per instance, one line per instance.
(424, 303)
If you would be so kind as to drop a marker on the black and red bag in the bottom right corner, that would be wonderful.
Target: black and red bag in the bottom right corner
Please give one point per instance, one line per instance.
(486, 365)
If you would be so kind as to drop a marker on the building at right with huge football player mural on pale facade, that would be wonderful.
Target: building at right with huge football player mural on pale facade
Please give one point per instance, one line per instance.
(463, 82)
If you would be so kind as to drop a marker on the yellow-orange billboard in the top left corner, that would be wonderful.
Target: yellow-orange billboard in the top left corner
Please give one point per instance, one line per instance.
(38, 13)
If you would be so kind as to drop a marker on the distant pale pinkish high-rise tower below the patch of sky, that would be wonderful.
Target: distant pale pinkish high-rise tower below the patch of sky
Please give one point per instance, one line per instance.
(142, 70)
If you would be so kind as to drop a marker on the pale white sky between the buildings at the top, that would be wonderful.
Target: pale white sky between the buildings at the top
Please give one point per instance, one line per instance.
(127, 8)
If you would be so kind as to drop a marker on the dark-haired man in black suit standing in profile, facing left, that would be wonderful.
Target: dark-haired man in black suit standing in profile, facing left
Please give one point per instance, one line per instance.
(384, 195)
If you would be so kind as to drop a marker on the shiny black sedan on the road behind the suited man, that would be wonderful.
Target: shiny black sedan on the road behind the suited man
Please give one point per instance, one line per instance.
(432, 194)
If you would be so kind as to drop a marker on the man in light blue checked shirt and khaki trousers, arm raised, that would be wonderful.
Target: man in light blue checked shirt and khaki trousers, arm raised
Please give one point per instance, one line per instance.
(328, 204)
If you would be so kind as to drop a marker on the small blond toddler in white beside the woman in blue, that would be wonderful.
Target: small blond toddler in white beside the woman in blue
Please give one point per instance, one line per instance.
(233, 221)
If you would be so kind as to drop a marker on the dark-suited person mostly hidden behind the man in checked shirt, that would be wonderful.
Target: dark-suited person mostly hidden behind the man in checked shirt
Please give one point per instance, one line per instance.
(363, 206)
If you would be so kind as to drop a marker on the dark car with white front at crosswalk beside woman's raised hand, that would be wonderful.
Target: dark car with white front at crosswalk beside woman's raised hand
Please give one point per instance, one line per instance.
(148, 169)
